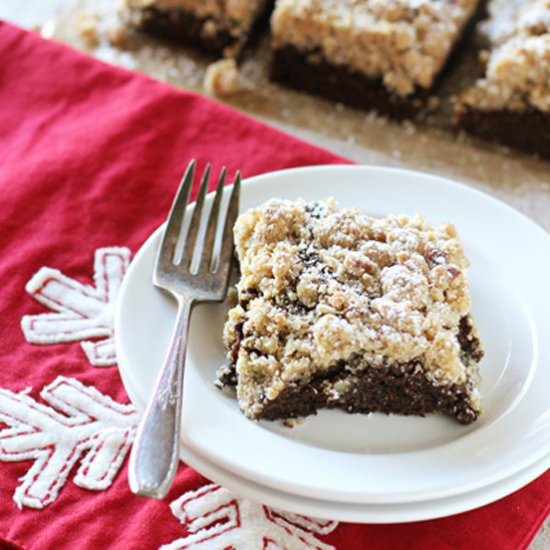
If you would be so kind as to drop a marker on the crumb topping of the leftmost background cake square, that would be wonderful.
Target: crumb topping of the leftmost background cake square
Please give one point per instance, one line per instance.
(235, 16)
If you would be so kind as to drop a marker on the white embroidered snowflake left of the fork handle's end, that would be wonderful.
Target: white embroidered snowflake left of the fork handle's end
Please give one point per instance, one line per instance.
(78, 424)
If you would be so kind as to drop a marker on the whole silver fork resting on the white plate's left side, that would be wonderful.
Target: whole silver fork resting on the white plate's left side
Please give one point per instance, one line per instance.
(155, 454)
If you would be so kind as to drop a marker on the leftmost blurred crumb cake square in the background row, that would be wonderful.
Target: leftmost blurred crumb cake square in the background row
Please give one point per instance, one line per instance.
(218, 27)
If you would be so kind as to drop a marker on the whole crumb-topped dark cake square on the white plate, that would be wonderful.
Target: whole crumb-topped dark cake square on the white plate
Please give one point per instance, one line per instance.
(337, 309)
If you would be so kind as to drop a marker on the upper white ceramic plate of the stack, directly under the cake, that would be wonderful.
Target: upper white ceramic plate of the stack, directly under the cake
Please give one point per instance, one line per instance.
(374, 458)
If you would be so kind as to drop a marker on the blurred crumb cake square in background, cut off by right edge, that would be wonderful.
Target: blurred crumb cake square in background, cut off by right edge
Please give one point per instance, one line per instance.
(511, 103)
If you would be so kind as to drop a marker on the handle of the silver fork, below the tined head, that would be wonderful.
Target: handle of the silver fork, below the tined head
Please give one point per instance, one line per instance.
(155, 454)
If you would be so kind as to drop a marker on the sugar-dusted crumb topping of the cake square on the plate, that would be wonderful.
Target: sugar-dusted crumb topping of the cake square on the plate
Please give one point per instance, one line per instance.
(321, 285)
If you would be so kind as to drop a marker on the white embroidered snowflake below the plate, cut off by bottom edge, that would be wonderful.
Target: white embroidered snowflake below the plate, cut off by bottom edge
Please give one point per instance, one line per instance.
(216, 519)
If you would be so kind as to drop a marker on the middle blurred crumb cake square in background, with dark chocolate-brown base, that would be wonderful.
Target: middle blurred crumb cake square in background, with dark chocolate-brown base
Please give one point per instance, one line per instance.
(372, 54)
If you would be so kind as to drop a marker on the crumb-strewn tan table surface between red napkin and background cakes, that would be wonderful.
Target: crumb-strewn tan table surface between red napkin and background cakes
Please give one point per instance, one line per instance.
(520, 181)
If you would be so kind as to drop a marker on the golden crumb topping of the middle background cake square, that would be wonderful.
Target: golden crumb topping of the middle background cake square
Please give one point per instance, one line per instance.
(404, 42)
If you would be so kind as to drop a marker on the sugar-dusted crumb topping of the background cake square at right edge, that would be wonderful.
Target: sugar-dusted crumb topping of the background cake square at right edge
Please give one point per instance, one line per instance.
(518, 64)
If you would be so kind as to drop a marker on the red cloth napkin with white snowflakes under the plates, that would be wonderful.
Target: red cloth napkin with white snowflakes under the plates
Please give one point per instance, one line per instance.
(91, 156)
